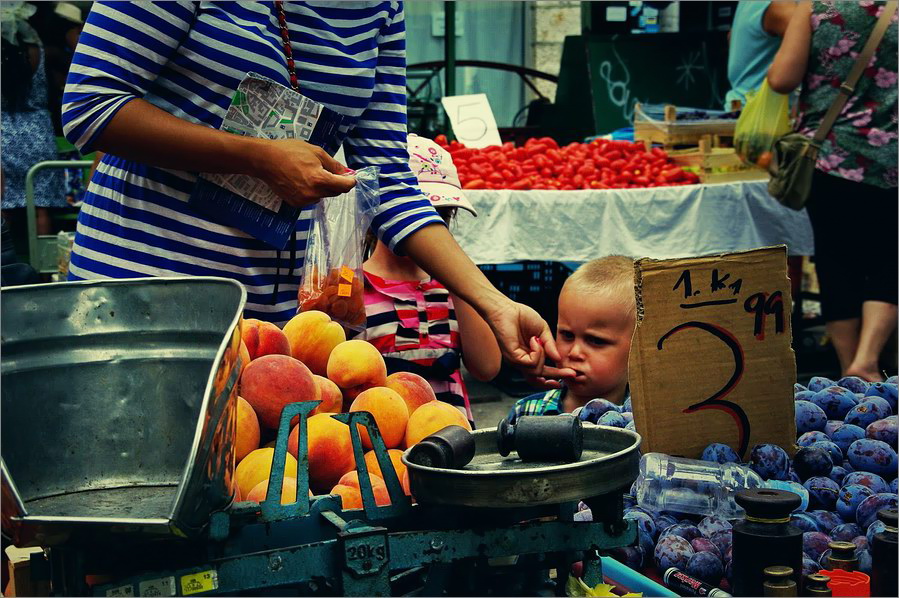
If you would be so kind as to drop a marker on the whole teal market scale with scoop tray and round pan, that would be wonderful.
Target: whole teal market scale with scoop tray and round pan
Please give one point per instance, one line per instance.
(134, 482)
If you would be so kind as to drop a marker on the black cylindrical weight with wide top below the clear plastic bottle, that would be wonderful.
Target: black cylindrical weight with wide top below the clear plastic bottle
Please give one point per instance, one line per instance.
(765, 538)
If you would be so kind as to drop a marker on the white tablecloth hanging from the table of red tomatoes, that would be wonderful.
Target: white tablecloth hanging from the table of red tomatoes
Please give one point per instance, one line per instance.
(660, 222)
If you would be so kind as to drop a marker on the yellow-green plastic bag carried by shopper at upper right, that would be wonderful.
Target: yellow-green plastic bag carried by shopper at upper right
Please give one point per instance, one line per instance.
(763, 121)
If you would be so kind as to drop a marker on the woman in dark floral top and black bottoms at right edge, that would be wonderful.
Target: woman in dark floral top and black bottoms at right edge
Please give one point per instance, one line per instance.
(853, 204)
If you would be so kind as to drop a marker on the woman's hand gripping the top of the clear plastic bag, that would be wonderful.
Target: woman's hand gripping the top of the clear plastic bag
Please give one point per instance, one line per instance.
(301, 173)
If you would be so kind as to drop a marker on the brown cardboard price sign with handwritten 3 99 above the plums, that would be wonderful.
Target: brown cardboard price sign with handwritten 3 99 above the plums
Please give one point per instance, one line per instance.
(711, 359)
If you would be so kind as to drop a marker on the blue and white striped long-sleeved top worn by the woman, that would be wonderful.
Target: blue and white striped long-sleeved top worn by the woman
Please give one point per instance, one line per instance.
(188, 59)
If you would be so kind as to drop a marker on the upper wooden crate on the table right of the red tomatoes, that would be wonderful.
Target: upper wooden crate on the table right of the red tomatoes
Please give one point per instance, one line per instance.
(671, 133)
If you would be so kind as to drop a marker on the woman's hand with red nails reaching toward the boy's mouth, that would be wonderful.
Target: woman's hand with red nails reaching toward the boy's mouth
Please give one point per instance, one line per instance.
(525, 341)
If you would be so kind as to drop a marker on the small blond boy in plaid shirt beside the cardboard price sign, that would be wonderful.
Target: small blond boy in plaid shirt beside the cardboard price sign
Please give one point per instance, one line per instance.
(597, 315)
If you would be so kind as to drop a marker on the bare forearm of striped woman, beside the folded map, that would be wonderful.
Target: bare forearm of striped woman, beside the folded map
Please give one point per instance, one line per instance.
(145, 133)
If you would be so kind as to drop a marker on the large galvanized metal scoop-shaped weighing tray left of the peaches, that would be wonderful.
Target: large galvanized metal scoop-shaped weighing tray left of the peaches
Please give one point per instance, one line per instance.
(117, 408)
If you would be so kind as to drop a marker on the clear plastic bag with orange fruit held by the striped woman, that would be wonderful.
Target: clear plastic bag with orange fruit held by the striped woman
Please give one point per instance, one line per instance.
(332, 273)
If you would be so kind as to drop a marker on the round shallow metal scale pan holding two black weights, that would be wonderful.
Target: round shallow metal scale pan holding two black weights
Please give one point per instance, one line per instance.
(610, 462)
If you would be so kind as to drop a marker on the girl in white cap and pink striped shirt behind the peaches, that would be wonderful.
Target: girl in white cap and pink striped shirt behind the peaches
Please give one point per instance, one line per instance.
(416, 324)
